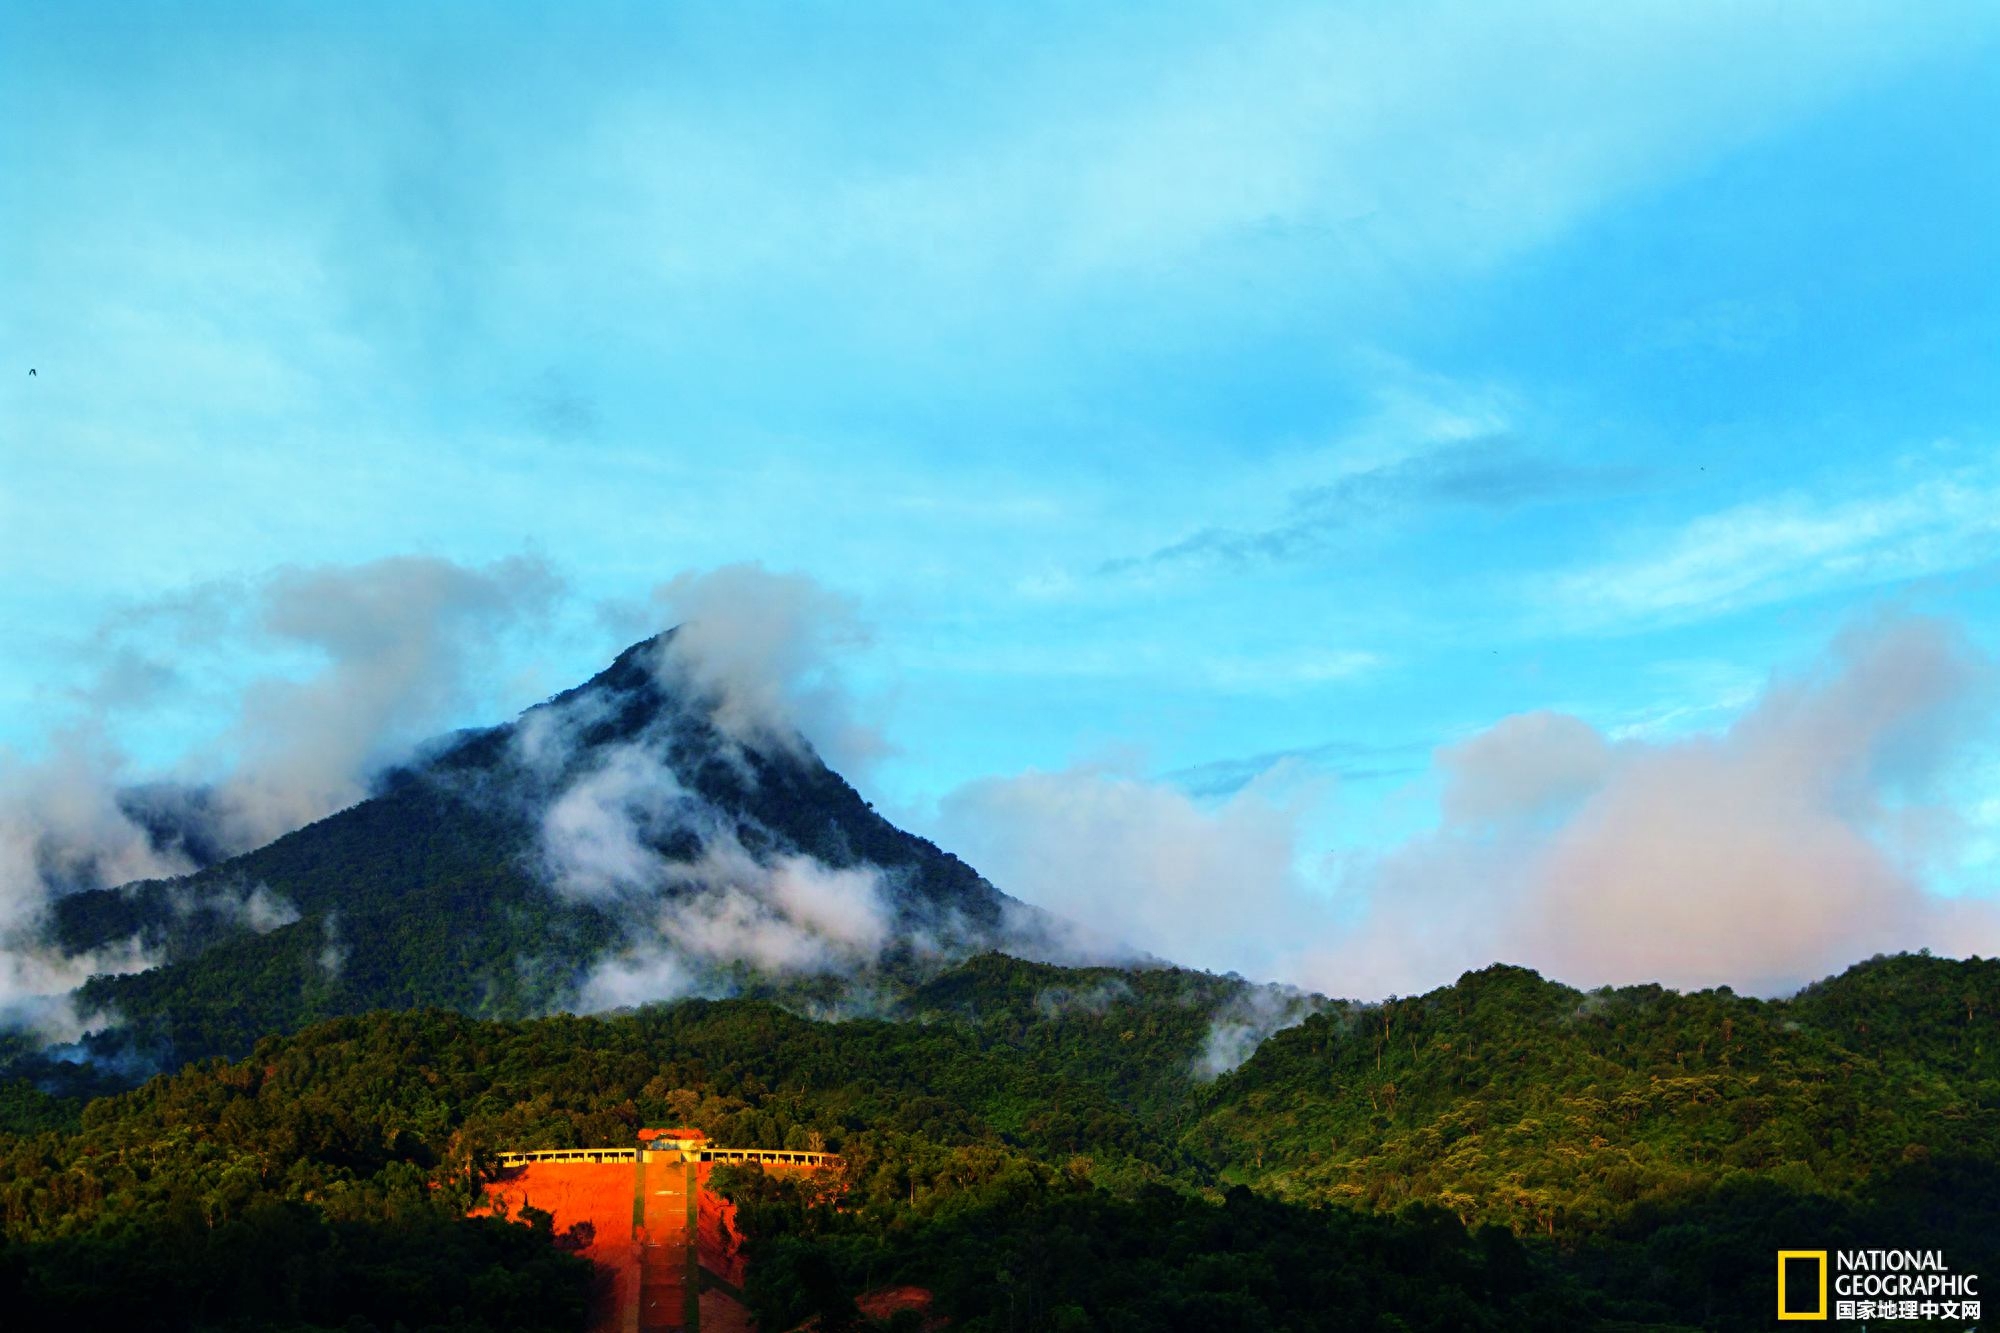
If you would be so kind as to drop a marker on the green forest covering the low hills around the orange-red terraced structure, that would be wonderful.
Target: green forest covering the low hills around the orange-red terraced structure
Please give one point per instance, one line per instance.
(1043, 1150)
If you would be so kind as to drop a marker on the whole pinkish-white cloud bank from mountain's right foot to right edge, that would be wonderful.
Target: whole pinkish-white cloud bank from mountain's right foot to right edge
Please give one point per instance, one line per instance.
(1803, 838)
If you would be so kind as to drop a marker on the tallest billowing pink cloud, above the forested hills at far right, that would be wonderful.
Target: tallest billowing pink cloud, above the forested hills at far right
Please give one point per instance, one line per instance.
(1771, 854)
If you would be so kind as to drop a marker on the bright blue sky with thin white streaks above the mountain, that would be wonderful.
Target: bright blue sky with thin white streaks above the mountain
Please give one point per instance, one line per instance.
(1197, 399)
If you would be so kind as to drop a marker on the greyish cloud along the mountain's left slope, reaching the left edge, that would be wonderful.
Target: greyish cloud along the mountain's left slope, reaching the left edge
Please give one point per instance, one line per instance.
(393, 651)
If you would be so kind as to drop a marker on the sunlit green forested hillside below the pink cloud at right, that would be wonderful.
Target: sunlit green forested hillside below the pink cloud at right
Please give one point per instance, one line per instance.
(1525, 1102)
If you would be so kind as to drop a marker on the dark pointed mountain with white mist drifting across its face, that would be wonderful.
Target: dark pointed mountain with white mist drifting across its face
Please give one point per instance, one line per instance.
(613, 838)
